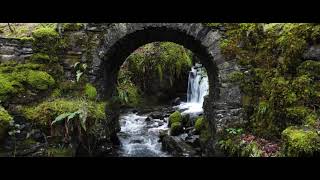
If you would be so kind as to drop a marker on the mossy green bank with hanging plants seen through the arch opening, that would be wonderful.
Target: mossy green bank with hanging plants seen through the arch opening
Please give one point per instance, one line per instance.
(152, 60)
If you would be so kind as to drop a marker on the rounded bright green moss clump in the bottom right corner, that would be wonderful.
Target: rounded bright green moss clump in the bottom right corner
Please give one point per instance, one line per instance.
(300, 142)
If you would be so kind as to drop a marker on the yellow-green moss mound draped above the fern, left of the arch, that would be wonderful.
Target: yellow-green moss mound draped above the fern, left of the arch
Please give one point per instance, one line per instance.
(44, 113)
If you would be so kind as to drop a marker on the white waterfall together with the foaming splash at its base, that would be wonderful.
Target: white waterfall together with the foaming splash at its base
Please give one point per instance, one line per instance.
(198, 88)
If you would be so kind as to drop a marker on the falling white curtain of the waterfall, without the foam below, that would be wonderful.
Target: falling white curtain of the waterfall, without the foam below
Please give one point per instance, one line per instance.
(197, 85)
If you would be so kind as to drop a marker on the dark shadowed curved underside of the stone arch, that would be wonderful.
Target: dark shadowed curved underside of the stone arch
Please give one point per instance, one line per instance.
(116, 55)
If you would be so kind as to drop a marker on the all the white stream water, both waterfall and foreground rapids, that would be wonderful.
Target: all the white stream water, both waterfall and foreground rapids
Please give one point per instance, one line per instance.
(139, 135)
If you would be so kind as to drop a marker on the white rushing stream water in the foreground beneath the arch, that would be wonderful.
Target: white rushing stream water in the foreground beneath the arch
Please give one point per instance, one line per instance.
(140, 138)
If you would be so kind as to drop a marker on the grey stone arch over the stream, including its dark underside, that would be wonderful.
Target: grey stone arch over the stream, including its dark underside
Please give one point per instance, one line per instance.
(121, 39)
